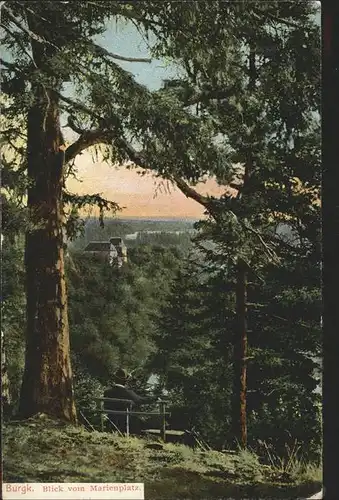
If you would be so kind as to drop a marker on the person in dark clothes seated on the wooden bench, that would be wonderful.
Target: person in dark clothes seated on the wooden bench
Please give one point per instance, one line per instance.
(120, 391)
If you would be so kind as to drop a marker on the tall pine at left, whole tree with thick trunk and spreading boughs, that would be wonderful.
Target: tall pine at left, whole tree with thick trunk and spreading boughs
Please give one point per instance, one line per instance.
(46, 46)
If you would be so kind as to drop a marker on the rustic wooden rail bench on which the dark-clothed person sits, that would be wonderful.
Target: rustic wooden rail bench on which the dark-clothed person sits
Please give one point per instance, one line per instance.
(162, 414)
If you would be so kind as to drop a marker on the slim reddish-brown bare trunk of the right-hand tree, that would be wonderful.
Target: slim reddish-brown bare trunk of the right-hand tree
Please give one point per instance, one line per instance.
(239, 363)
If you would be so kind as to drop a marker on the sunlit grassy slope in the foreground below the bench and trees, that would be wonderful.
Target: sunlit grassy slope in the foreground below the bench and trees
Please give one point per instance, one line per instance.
(41, 450)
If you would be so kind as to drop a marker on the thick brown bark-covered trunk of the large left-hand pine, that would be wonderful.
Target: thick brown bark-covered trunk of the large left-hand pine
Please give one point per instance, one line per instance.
(47, 380)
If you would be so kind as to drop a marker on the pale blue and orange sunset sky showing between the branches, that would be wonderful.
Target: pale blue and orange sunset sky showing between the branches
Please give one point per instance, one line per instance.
(142, 196)
